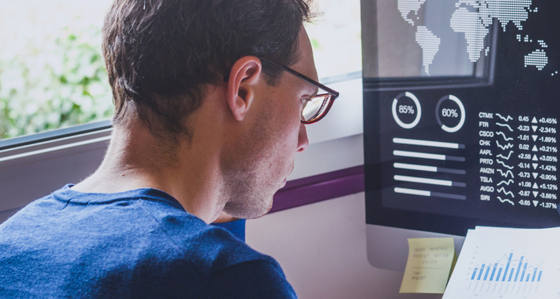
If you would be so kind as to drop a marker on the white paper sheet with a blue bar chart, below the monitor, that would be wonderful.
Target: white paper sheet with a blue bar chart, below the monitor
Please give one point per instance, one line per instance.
(507, 263)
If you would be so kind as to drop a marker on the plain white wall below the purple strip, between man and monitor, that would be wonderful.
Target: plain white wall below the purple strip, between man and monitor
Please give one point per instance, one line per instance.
(322, 250)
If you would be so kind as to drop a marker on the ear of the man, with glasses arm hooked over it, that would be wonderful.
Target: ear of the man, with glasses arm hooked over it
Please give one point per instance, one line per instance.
(243, 79)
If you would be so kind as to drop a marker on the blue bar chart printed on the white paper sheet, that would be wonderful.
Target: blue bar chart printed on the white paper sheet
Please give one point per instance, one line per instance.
(510, 274)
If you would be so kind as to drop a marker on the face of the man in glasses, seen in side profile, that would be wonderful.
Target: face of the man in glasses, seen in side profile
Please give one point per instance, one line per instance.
(264, 160)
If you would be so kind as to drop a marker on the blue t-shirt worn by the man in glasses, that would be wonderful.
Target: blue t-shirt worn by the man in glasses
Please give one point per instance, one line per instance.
(134, 244)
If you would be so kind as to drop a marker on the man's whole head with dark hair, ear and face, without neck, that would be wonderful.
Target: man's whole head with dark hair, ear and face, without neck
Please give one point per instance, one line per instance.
(172, 63)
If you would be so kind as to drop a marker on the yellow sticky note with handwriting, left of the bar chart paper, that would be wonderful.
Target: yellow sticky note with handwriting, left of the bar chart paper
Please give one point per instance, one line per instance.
(428, 266)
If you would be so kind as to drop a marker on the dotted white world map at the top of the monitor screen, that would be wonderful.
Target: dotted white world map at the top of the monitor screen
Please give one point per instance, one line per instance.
(473, 18)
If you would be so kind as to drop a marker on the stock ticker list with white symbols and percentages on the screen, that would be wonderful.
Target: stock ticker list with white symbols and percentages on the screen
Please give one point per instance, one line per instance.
(518, 157)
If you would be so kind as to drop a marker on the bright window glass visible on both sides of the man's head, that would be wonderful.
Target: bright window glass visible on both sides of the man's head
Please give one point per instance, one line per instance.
(52, 73)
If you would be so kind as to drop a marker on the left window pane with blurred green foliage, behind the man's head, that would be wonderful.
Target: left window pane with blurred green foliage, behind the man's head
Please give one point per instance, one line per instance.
(52, 73)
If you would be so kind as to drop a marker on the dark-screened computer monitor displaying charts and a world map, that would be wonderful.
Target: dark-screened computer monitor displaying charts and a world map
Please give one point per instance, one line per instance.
(461, 110)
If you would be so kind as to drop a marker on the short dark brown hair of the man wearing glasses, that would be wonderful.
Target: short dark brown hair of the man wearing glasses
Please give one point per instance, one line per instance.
(159, 53)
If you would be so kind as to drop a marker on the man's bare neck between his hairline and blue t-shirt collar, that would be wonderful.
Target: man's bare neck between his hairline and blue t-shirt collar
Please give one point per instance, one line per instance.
(192, 176)
